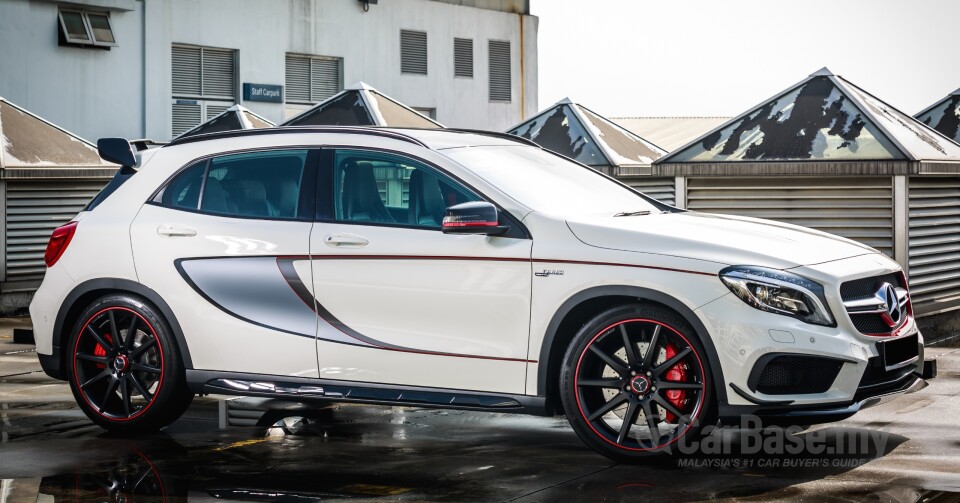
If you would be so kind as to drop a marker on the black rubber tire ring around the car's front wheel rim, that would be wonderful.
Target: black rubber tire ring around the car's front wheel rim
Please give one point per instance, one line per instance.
(580, 343)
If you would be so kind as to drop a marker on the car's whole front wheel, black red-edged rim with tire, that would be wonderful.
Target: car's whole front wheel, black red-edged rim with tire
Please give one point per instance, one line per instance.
(666, 395)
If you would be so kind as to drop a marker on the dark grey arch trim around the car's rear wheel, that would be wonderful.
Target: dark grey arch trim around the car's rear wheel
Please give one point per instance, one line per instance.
(85, 293)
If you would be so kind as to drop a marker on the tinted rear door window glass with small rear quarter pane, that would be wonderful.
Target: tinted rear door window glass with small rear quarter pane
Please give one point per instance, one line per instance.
(258, 184)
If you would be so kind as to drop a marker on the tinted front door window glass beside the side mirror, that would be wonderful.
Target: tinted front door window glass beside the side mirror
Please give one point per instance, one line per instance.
(391, 189)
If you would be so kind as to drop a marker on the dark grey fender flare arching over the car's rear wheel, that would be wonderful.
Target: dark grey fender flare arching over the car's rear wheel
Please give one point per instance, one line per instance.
(121, 285)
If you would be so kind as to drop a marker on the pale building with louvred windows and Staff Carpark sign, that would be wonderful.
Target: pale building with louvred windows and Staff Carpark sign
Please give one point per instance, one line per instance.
(155, 69)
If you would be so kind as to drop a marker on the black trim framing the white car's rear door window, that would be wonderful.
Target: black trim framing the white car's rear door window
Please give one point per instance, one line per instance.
(306, 204)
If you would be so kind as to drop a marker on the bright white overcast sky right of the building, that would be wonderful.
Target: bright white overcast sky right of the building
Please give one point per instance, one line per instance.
(721, 57)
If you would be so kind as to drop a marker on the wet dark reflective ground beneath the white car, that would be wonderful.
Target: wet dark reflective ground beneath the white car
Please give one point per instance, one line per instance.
(904, 450)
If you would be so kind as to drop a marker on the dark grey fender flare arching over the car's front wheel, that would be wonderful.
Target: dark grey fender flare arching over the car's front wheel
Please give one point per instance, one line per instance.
(642, 294)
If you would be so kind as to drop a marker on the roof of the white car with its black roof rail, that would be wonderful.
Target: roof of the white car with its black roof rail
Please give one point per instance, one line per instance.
(435, 139)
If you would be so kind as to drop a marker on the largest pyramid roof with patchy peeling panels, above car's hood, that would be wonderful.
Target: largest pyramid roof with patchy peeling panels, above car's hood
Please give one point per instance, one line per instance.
(822, 118)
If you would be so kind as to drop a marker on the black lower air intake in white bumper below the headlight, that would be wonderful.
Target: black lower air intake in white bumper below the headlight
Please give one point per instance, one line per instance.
(794, 375)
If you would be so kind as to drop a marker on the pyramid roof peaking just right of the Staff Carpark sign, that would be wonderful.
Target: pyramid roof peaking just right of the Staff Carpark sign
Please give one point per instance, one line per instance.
(362, 105)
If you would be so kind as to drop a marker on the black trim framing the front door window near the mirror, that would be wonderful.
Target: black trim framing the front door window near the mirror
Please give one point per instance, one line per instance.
(325, 189)
